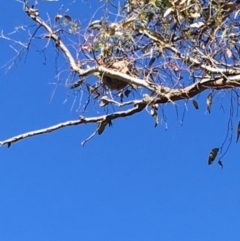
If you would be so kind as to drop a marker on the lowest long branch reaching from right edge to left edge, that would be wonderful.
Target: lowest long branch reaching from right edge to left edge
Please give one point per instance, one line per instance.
(172, 95)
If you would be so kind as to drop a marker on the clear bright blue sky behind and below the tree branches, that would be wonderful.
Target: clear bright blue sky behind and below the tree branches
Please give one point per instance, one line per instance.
(134, 182)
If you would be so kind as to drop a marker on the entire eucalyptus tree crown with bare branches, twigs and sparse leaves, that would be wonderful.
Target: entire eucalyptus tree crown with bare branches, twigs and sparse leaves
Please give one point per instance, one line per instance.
(141, 55)
